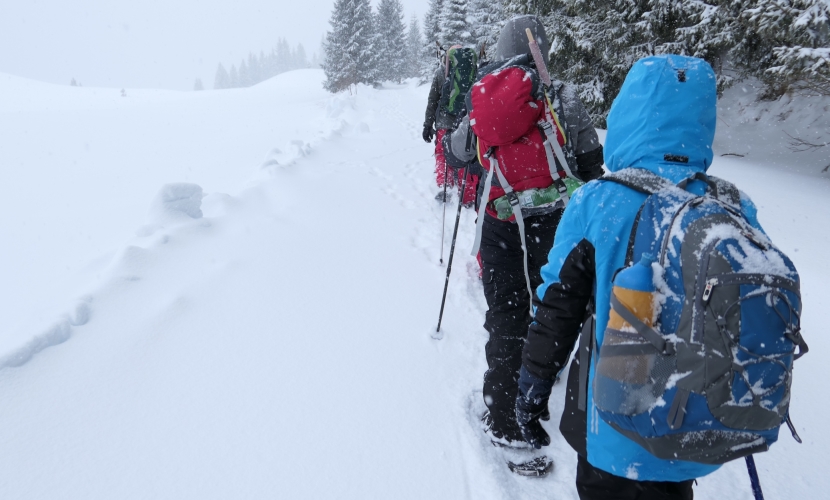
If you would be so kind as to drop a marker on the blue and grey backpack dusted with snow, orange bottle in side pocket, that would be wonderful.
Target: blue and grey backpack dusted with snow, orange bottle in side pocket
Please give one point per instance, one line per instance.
(710, 381)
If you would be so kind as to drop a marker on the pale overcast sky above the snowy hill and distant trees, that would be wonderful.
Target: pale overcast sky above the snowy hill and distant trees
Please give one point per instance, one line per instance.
(153, 43)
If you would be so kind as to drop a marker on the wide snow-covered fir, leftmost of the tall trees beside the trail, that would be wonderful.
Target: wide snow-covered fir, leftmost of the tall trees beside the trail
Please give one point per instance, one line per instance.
(349, 54)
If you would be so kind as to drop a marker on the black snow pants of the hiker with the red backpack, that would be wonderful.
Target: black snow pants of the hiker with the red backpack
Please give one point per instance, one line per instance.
(508, 308)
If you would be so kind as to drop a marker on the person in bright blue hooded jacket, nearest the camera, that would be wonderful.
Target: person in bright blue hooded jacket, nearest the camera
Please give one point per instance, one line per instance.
(663, 120)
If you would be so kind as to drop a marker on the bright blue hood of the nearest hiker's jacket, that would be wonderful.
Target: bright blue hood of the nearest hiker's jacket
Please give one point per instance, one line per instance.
(664, 117)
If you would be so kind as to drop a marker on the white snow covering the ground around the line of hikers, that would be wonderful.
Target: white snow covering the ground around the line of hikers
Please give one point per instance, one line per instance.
(279, 345)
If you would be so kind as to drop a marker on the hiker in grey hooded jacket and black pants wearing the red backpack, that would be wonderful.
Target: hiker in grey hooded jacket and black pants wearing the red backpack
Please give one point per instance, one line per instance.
(505, 283)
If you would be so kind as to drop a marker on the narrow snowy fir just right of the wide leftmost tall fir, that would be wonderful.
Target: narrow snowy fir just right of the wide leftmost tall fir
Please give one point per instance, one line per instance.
(391, 47)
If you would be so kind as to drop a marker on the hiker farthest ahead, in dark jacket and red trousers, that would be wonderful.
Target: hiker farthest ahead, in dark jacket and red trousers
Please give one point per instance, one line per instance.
(436, 123)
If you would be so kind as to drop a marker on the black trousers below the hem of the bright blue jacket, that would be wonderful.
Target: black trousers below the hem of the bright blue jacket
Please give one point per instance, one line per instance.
(596, 484)
